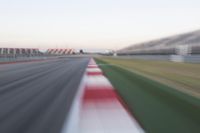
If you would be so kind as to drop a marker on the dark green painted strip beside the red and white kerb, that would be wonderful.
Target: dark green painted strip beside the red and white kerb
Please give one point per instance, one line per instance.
(158, 107)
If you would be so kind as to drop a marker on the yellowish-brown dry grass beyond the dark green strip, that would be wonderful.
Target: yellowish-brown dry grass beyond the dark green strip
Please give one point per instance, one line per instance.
(182, 76)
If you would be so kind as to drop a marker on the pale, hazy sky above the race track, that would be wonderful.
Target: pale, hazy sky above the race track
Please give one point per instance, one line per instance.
(93, 24)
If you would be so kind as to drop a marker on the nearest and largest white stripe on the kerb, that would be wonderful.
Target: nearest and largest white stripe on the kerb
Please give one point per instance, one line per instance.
(107, 117)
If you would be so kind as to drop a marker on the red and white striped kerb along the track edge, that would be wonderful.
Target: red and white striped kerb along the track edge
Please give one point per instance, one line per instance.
(102, 110)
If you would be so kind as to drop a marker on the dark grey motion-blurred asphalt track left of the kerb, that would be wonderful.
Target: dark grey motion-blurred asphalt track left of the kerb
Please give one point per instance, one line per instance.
(35, 97)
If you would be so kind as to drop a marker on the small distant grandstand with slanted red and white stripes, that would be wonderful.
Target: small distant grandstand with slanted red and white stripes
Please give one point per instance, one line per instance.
(60, 51)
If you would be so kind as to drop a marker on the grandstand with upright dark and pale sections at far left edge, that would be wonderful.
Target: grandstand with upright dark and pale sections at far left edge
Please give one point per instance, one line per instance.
(15, 52)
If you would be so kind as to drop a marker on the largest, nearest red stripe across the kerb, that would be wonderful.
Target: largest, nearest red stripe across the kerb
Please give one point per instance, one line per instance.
(99, 94)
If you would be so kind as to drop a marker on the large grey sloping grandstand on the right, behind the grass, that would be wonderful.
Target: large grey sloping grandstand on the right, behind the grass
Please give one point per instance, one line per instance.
(188, 43)
